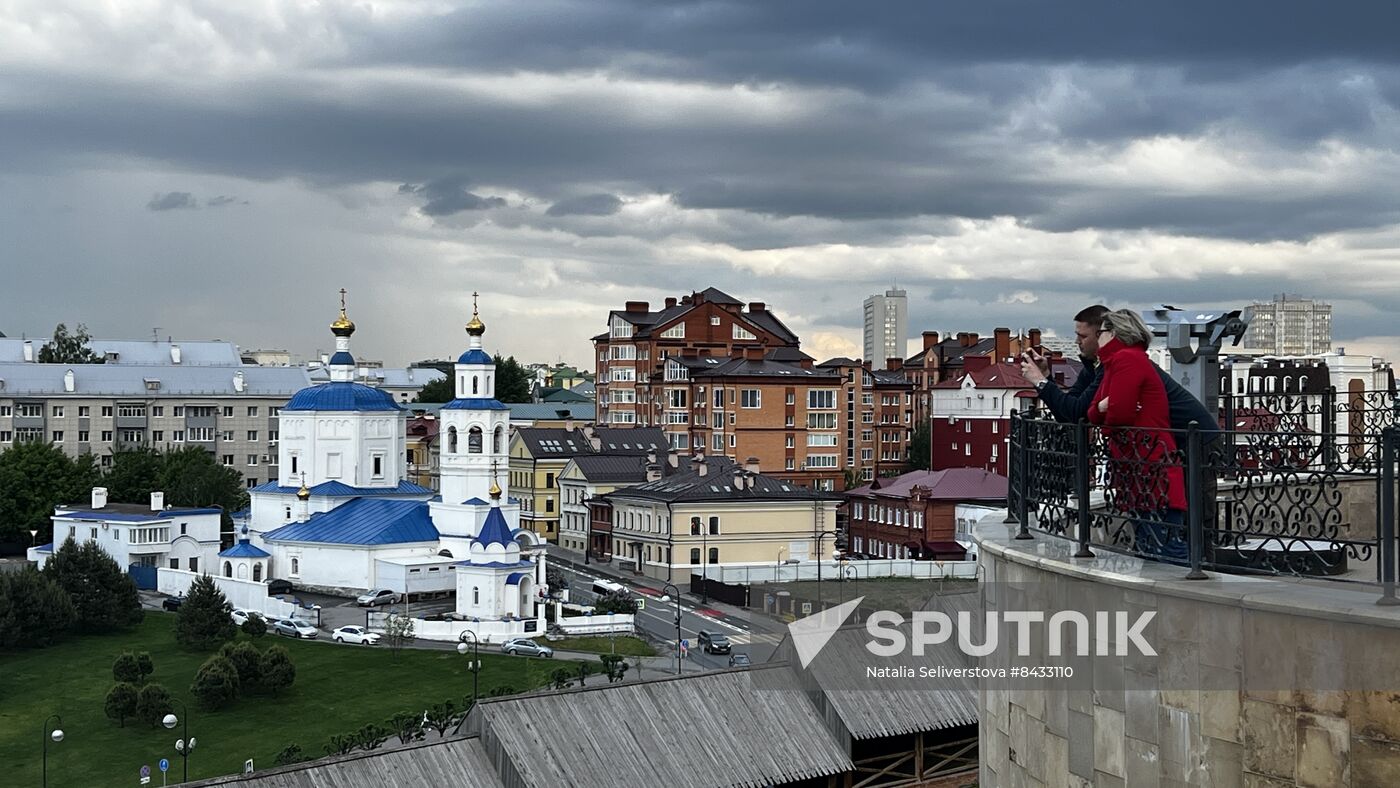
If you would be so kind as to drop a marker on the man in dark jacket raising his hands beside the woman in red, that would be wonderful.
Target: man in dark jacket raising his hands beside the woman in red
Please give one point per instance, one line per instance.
(1073, 405)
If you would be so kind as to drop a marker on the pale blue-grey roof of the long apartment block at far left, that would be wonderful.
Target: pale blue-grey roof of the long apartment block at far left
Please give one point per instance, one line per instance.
(20, 380)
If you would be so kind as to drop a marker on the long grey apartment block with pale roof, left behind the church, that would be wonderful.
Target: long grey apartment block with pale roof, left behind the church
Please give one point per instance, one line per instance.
(232, 412)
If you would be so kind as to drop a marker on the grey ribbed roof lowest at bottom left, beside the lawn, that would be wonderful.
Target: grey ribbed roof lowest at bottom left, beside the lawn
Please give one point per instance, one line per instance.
(458, 762)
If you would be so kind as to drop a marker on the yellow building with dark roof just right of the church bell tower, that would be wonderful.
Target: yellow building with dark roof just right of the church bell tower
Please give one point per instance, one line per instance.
(540, 456)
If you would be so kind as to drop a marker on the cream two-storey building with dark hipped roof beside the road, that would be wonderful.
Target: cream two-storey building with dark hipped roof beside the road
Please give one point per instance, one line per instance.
(717, 513)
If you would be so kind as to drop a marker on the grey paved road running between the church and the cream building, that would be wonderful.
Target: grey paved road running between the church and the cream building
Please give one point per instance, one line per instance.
(659, 622)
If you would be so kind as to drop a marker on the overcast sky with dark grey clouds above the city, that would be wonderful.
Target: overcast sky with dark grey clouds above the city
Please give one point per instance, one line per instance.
(222, 169)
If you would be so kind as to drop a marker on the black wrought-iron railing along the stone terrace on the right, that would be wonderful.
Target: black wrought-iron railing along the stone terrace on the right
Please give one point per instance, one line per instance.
(1294, 485)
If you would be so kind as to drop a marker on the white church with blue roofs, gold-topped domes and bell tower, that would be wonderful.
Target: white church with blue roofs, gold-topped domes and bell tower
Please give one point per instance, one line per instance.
(342, 520)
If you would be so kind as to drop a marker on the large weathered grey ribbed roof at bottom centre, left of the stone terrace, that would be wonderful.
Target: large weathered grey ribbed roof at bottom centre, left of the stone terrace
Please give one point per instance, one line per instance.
(699, 731)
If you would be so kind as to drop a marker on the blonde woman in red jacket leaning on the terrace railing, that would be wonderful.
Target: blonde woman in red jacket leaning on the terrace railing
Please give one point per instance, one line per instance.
(1146, 481)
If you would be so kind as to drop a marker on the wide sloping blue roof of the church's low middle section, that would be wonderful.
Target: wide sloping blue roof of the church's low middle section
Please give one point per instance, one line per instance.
(363, 521)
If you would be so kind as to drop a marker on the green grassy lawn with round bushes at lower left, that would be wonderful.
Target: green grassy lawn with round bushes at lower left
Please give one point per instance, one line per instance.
(338, 689)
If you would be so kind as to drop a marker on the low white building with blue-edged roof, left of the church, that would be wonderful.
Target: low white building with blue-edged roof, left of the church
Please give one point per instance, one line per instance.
(139, 535)
